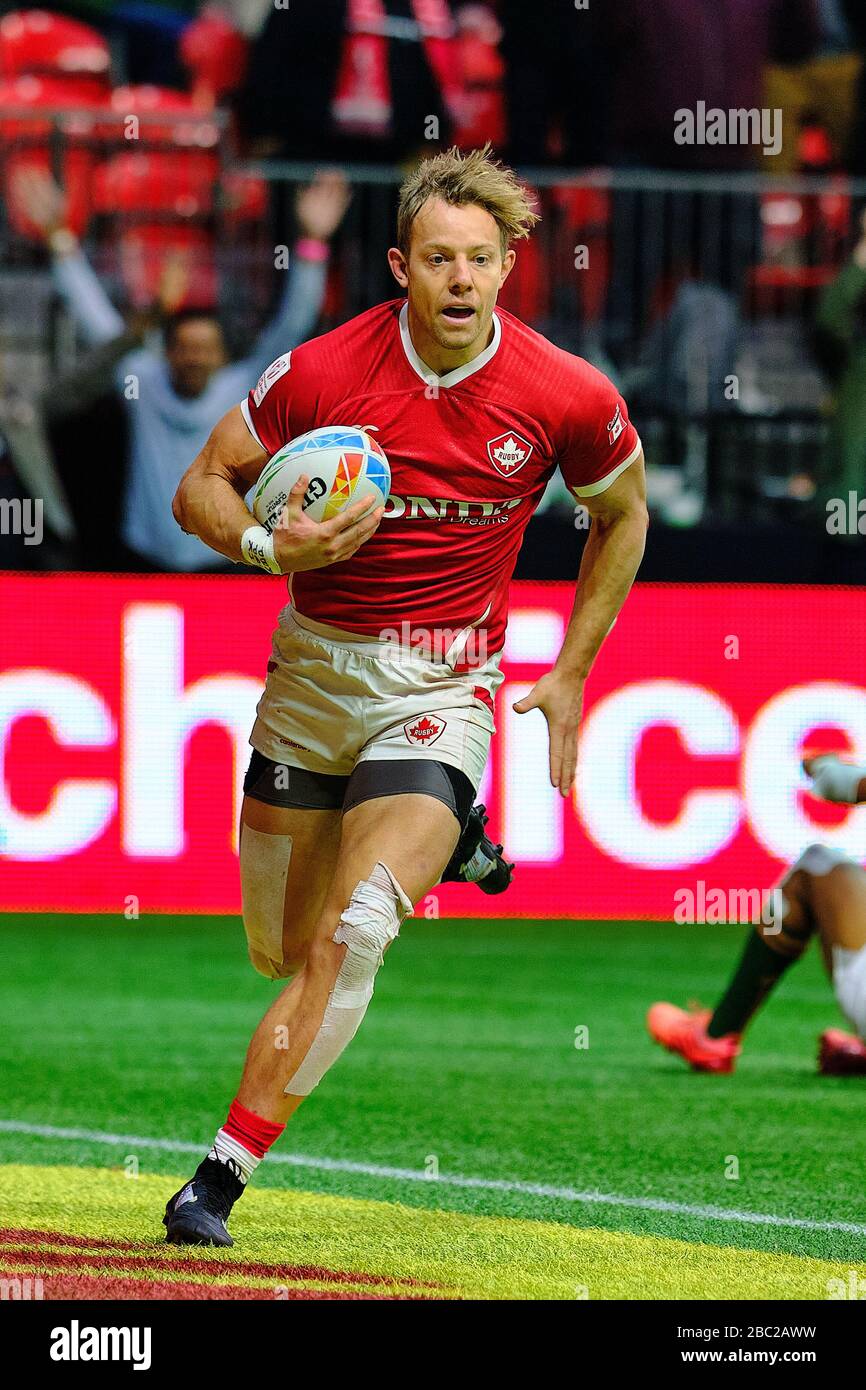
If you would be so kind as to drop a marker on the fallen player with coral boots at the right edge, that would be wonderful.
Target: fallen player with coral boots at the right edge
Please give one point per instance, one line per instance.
(824, 894)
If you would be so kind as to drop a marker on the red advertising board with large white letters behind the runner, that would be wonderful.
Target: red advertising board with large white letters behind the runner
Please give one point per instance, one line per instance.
(126, 705)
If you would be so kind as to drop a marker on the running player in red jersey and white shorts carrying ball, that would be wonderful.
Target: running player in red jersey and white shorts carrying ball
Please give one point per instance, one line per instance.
(366, 754)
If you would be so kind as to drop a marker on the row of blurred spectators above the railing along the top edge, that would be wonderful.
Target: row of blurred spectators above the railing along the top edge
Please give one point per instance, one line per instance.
(551, 83)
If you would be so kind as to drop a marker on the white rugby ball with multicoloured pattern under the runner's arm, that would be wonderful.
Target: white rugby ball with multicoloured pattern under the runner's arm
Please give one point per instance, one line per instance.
(344, 465)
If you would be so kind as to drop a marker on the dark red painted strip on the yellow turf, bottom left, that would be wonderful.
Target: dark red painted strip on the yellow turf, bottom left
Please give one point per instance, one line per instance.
(254, 1270)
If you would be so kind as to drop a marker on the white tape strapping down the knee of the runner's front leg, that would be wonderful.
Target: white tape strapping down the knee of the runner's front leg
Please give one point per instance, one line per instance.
(368, 926)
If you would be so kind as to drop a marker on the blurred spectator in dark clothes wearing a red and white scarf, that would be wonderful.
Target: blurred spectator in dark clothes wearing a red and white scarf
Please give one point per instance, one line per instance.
(351, 80)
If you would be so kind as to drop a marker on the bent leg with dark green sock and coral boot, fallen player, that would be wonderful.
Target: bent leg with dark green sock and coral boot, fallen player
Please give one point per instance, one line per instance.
(711, 1040)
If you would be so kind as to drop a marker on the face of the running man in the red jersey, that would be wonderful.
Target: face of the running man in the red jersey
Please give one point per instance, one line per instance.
(454, 273)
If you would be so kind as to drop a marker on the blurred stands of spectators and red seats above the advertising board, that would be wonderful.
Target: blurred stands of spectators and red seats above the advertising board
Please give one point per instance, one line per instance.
(162, 297)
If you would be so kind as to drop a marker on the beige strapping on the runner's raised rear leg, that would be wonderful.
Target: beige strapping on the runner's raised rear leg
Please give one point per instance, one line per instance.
(265, 869)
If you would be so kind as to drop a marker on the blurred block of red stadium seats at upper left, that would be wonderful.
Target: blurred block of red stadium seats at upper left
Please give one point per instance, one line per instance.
(144, 159)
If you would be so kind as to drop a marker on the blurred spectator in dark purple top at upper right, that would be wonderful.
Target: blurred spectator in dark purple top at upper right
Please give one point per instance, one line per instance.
(671, 55)
